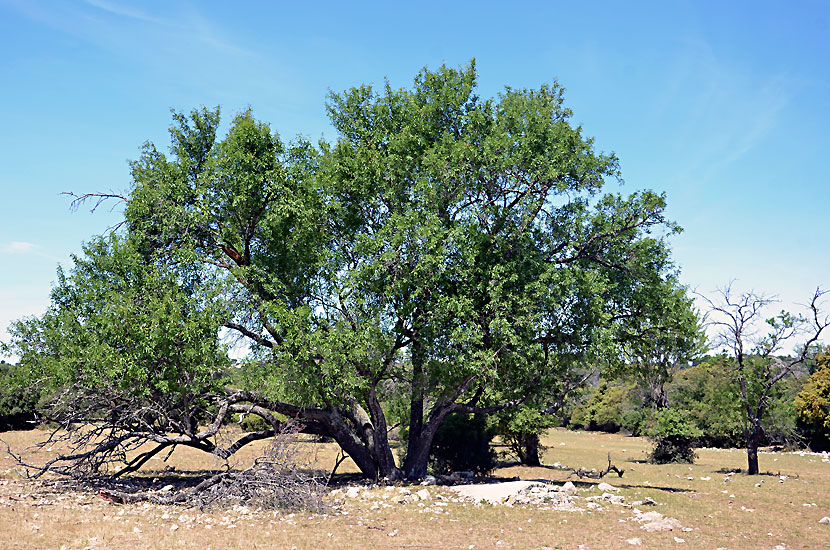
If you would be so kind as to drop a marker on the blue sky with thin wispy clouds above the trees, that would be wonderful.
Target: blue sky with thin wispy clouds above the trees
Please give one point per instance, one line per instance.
(725, 106)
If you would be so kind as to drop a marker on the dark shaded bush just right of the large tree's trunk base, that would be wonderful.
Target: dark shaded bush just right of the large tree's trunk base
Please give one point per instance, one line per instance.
(462, 443)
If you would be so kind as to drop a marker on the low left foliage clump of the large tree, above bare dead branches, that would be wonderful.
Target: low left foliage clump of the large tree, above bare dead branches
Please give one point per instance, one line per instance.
(125, 336)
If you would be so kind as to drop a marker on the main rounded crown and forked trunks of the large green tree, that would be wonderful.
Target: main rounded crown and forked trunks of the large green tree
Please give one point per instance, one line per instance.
(453, 248)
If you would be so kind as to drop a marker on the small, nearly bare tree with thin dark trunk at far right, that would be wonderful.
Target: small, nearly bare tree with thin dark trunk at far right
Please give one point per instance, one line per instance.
(757, 366)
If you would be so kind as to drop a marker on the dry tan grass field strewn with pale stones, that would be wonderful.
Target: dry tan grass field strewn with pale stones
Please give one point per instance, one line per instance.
(781, 513)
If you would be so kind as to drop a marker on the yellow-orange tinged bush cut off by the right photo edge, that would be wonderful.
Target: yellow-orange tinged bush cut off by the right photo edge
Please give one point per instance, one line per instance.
(812, 405)
